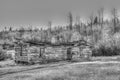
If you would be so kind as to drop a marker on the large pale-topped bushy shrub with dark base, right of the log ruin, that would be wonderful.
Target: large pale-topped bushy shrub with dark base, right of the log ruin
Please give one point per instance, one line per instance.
(109, 46)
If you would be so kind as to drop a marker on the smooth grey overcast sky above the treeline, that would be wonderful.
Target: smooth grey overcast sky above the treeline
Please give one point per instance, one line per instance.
(39, 12)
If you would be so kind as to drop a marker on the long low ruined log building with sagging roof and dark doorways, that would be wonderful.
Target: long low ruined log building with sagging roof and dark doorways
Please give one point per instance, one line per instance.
(33, 52)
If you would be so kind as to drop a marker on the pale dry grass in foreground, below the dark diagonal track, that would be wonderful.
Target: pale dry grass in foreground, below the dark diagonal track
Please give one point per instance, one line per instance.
(75, 71)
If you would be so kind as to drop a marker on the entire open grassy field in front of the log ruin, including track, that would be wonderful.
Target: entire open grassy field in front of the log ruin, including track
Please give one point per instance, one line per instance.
(100, 68)
